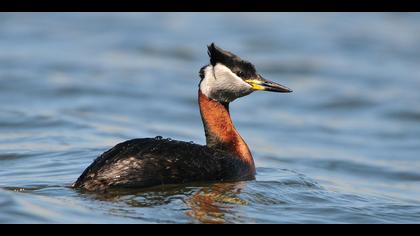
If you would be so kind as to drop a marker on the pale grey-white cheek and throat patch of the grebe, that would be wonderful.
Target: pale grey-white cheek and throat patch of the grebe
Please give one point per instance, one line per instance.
(221, 84)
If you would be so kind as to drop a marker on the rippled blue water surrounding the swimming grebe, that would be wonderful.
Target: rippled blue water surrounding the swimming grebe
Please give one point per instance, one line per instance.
(342, 148)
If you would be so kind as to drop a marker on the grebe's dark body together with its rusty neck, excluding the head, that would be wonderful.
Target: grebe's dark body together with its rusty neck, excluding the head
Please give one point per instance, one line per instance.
(154, 161)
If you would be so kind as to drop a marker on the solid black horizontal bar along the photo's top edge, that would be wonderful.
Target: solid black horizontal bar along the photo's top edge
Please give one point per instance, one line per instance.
(208, 5)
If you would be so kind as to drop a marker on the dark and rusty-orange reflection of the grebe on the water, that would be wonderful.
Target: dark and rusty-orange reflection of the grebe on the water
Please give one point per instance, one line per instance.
(204, 203)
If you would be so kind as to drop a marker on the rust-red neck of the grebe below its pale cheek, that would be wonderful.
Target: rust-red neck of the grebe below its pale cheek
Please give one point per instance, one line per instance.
(219, 129)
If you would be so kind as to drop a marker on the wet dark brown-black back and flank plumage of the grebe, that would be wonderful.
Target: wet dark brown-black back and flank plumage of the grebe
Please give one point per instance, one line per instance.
(153, 161)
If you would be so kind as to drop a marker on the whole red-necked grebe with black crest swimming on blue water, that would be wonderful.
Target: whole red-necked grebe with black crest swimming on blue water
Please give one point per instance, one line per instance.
(156, 161)
